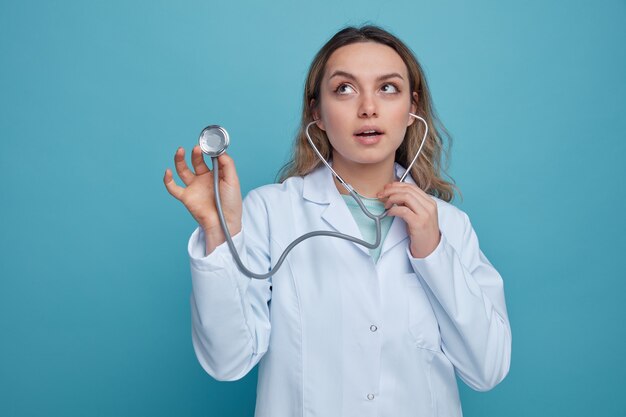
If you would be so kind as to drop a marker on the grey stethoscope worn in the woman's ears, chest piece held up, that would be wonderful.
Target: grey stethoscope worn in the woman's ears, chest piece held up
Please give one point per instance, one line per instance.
(214, 140)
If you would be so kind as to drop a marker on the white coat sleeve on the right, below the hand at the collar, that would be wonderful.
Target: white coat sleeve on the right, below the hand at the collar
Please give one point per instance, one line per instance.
(467, 296)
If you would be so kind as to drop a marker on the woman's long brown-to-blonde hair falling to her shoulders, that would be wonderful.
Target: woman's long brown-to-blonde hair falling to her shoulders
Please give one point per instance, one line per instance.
(432, 162)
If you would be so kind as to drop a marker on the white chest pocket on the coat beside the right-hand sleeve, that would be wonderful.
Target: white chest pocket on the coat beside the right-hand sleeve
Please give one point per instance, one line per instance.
(423, 325)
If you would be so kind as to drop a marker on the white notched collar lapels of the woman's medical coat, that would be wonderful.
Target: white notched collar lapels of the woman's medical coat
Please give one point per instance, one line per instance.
(319, 187)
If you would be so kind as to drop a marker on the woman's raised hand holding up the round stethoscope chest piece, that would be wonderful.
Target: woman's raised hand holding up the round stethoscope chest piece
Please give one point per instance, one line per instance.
(198, 195)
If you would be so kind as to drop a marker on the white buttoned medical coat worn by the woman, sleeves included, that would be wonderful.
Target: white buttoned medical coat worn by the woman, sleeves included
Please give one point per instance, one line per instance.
(335, 334)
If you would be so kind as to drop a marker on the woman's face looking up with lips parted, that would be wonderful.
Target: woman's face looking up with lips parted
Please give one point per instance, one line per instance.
(365, 100)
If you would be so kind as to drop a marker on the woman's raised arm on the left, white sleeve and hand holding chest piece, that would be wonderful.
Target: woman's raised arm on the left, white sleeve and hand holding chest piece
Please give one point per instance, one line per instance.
(230, 312)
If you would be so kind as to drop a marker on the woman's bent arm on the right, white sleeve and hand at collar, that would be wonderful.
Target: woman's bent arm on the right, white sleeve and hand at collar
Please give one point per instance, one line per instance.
(464, 289)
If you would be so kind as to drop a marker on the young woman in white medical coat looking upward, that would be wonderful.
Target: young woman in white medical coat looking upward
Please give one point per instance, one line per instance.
(341, 330)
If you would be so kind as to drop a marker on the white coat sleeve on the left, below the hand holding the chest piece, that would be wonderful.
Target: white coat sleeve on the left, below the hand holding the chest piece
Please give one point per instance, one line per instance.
(230, 315)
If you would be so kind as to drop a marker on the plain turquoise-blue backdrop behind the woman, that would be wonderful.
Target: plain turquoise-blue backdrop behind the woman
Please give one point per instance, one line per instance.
(96, 96)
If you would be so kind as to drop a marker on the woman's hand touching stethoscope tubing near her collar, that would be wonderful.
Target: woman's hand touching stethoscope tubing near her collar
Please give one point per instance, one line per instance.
(419, 212)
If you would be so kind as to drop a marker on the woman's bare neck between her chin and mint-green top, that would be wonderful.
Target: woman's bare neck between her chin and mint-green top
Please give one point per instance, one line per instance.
(366, 179)
